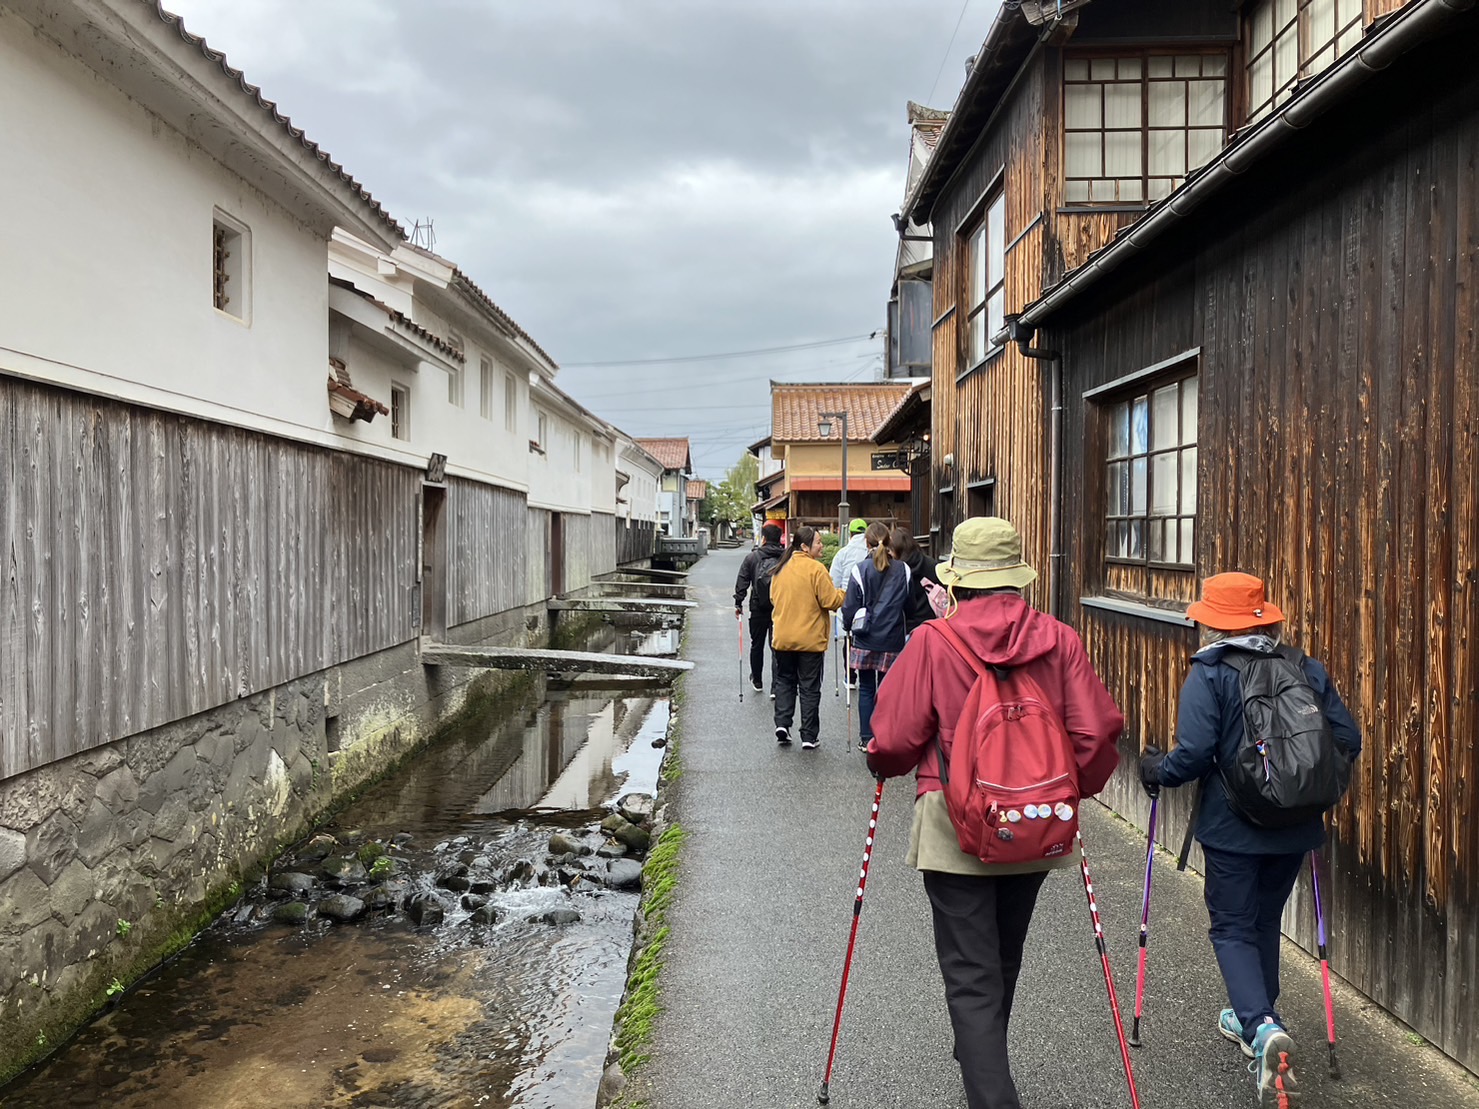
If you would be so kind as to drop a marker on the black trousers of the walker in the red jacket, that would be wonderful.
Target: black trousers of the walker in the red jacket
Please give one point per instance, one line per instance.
(980, 932)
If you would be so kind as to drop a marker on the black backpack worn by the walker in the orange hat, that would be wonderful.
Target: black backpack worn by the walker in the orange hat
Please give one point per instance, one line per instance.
(1289, 767)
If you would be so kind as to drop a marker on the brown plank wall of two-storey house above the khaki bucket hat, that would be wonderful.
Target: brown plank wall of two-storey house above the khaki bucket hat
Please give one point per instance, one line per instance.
(993, 422)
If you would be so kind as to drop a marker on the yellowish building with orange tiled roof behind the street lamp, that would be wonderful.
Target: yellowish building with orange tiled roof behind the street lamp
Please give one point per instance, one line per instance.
(811, 489)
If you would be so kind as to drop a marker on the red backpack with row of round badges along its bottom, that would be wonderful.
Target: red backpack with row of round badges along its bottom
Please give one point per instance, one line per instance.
(1012, 783)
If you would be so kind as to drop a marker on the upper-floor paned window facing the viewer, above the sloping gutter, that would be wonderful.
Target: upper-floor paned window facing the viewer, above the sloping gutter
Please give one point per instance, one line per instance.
(1137, 125)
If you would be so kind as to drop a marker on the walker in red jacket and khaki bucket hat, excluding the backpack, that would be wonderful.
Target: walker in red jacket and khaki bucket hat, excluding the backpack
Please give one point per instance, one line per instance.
(983, 913)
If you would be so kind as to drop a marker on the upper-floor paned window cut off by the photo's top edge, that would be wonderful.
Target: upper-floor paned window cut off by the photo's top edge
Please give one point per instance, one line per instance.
(1290, 41)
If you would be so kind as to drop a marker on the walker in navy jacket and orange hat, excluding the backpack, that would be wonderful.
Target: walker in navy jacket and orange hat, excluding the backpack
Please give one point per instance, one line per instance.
(1250, 870)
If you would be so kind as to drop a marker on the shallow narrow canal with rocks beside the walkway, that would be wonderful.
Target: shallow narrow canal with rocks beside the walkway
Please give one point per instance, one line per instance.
(507, 1002)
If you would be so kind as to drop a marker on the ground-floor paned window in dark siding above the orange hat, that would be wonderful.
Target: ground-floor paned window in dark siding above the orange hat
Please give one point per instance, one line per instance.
(1151, 477)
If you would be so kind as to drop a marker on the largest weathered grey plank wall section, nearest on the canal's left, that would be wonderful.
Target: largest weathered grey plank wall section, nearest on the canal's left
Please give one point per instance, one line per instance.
(158, 567)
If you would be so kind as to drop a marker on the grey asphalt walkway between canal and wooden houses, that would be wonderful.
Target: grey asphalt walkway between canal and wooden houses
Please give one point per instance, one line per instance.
(761, 926)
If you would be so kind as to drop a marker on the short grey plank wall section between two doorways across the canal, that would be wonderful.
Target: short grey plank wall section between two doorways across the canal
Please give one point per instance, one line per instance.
(486, 540)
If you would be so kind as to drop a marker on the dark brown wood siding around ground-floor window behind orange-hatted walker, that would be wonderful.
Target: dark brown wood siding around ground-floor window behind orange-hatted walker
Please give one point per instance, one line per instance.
(1336, 308)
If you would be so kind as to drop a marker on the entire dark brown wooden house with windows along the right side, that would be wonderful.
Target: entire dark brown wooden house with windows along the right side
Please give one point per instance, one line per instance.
(1230, 271)
